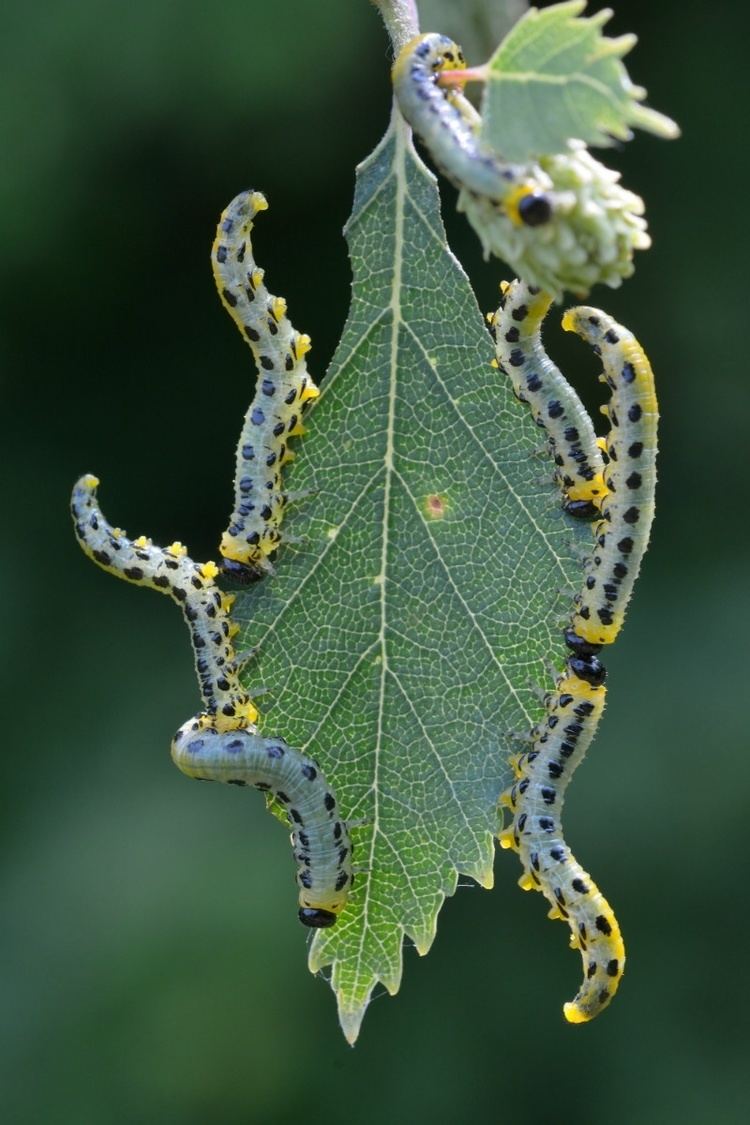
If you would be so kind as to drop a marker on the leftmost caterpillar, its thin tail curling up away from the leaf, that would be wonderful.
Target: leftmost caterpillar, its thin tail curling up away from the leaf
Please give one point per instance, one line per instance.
(192, 586)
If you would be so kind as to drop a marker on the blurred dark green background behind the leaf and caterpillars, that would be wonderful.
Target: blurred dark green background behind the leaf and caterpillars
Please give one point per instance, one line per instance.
(150, 968)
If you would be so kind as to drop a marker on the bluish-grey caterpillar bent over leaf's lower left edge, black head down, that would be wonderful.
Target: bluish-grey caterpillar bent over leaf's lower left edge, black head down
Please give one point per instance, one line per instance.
(320, 838)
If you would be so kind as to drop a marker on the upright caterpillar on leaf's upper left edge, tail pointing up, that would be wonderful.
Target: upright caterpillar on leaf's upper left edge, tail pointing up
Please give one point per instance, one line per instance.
(283, 391)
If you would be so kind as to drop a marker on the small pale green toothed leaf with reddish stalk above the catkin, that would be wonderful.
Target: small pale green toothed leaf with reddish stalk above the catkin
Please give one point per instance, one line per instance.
(556, 78)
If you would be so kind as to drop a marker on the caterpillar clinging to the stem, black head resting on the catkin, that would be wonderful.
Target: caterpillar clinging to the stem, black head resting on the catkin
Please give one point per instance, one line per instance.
(447, 123)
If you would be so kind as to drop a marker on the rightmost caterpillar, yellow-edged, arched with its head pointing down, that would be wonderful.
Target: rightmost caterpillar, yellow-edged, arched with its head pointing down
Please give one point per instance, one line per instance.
(622, 535)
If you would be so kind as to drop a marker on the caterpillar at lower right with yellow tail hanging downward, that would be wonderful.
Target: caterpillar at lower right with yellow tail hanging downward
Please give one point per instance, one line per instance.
(536, 800)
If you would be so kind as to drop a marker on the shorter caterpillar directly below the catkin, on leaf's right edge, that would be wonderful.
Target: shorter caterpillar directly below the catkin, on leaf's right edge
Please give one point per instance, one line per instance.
(556, 407)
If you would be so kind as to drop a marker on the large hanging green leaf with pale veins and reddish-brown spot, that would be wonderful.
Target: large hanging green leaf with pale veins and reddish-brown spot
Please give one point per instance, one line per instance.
(403, 636)
